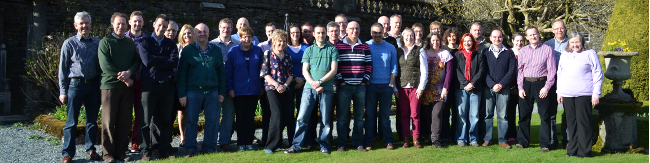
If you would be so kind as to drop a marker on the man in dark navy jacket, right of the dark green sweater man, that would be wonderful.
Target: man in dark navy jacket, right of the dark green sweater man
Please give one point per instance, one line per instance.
(159, 58)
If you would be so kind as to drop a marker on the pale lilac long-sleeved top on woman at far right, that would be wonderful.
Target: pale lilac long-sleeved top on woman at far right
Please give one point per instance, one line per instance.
(579, 74)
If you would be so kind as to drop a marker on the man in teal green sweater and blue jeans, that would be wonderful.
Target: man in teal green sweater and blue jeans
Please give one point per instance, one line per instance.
(201, 84)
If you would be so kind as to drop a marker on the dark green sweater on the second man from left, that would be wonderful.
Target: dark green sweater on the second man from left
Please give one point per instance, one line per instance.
(116, 55)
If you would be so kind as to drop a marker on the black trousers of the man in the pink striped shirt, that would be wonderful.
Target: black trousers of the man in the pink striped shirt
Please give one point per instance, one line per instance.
(544, 109)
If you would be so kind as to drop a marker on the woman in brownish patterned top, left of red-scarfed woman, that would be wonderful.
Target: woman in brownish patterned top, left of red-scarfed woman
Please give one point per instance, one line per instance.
(441, 68)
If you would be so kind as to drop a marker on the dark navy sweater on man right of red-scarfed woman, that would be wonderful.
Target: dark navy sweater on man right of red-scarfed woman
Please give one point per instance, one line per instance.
(500, 70)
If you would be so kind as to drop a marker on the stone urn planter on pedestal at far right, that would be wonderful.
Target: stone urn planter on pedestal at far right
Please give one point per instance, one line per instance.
(617, 110)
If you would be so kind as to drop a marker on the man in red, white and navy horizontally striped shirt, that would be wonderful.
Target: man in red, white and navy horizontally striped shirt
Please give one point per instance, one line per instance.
(353, 76)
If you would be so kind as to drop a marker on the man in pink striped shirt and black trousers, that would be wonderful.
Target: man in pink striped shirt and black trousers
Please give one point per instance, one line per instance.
(535, 77)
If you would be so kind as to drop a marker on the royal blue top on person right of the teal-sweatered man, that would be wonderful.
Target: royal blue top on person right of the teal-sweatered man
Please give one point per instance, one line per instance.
(242, 78)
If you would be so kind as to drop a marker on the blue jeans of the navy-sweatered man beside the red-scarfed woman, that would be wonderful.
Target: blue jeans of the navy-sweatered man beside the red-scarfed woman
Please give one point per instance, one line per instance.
(500, 101)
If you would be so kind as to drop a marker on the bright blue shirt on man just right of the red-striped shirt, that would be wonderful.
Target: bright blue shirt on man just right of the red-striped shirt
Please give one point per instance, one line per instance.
(384, 62)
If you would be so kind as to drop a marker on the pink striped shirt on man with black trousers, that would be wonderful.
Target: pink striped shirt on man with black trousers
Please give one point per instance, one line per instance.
(535, 63)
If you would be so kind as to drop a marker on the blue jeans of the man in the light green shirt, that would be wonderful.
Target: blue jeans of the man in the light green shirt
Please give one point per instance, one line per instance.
(309, 100)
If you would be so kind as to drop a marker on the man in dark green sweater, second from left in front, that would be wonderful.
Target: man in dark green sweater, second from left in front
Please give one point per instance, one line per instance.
(119, 60)
